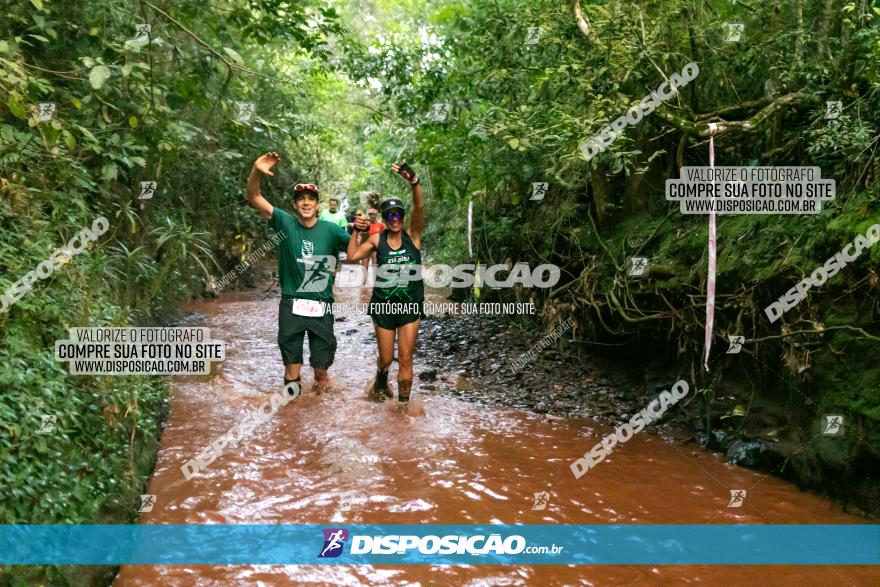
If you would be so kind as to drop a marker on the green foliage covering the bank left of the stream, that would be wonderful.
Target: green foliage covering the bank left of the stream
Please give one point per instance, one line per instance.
(129, 110)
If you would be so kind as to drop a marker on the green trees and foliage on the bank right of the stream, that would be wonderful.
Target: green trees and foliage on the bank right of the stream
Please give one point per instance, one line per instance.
(520, 114)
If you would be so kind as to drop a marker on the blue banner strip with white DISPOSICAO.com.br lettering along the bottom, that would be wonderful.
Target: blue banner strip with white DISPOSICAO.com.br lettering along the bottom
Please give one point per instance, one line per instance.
(438, 544)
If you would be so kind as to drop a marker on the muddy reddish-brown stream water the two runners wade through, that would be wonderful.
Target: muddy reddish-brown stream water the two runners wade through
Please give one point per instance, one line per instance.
(338, 458)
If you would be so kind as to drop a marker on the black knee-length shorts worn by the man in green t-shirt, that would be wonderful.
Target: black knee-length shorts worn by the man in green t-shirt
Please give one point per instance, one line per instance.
(292, 331)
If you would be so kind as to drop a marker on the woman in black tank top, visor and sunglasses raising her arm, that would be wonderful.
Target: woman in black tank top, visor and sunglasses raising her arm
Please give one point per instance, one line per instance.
(396, 305)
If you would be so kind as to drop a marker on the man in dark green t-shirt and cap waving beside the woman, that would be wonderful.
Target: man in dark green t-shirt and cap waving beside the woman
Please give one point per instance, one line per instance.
(306, 260)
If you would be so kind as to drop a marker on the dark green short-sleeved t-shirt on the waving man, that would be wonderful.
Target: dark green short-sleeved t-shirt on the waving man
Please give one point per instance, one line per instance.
(307, 256)
